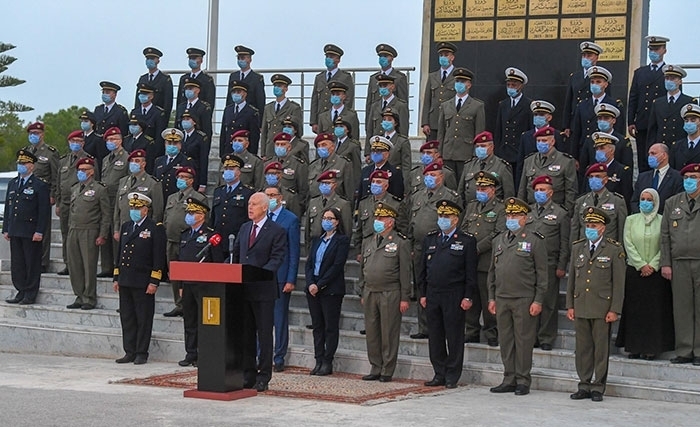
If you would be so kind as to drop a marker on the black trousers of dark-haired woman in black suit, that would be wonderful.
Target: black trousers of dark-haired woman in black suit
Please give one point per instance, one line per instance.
(325, 322)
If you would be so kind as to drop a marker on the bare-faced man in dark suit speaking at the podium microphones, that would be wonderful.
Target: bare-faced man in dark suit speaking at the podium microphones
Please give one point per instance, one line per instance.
(261, 243)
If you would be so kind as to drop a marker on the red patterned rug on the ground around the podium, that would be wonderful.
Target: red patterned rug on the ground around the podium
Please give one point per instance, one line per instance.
(297, 383)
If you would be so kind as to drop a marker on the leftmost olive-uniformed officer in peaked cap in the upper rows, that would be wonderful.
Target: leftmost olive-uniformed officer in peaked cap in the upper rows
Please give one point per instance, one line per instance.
(274, 113)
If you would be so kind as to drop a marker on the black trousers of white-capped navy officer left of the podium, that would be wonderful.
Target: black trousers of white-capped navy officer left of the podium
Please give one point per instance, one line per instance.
(136, 309)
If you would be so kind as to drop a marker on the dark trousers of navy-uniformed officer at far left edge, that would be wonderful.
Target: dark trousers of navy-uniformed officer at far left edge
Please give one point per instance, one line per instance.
(25, 266)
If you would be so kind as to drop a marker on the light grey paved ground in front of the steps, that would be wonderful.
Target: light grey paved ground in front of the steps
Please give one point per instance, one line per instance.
(62, 391)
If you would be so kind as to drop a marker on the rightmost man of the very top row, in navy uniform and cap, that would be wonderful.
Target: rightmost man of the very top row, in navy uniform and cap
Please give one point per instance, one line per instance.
(647, 85)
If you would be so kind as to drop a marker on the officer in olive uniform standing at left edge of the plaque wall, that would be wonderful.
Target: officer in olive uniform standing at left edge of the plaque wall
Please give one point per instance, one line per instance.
(439, 88)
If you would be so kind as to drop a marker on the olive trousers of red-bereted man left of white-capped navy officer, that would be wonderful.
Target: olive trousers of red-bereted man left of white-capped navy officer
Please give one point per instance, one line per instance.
(82, 264)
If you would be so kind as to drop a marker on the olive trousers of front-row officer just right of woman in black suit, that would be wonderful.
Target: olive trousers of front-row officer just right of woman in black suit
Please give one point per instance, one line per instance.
(383, 328)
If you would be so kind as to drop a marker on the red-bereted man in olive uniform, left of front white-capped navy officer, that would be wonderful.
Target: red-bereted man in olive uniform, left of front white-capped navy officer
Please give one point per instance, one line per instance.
(90, 218)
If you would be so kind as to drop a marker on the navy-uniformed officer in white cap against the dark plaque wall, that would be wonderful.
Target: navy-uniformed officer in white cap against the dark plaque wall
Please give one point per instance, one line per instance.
(512, 118)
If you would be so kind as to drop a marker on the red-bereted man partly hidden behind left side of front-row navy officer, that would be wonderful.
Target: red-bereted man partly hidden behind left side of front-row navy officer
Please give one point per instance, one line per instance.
(422, 217)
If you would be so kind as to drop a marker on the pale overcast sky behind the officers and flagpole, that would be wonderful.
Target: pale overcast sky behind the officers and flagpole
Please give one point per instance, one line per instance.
(65, 48)
